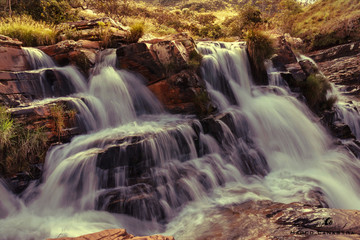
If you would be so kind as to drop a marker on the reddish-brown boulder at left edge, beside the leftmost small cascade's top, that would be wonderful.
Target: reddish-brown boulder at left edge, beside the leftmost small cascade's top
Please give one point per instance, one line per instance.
(12, 57)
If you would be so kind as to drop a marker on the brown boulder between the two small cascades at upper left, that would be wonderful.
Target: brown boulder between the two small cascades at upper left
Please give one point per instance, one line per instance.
(81, 54)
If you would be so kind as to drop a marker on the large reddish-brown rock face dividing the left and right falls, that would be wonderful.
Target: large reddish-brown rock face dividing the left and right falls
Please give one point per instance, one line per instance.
(168, 64)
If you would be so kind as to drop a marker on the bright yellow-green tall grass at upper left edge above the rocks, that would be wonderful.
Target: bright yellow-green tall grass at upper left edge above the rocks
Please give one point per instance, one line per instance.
(27, 30)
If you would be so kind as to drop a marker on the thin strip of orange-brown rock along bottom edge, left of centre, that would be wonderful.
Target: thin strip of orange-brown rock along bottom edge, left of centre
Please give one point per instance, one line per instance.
(115, 234)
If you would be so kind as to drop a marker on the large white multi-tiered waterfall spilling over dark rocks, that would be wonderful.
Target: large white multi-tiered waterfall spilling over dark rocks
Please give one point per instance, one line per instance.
(160, 173)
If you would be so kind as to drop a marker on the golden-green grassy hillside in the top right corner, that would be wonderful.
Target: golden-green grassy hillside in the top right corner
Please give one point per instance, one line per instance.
(327, 23)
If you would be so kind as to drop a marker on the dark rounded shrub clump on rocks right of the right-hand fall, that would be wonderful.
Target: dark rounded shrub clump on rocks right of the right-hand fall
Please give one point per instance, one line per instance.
(315, 89)
